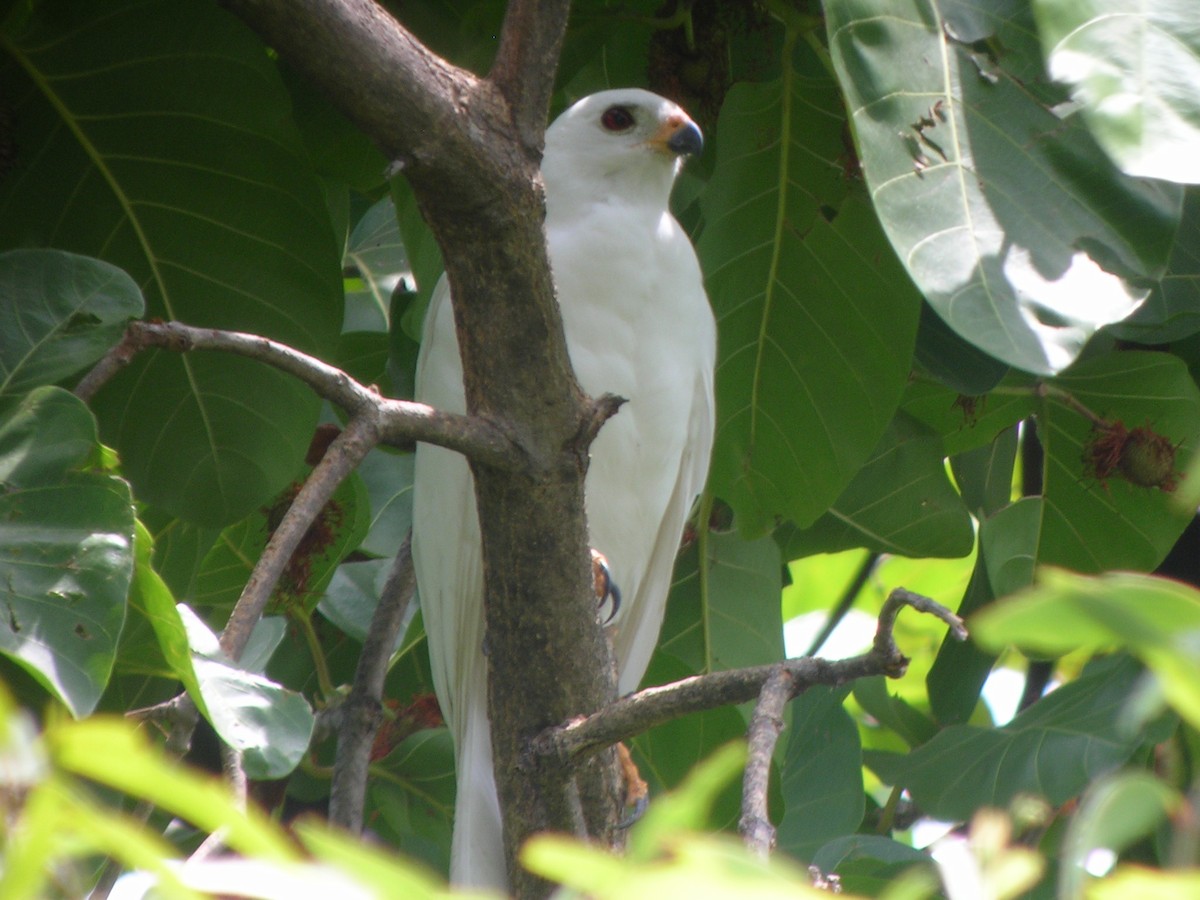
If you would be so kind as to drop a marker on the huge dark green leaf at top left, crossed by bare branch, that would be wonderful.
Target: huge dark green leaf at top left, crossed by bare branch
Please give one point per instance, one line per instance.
(155, 135)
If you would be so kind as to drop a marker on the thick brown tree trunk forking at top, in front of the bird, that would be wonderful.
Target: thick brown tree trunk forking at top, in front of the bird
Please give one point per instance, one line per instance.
(471, 148)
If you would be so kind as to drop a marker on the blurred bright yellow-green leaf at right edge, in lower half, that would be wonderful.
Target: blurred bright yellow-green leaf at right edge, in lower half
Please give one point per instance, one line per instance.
(1157, 620)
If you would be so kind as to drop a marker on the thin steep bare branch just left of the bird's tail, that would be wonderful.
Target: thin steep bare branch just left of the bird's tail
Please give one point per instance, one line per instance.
(362, 712)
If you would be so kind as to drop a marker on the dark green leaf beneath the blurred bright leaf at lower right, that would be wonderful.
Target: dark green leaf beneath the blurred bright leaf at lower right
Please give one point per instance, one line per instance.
(1054, 749)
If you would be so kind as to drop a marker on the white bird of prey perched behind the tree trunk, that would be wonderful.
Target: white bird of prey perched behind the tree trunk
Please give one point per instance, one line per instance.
(638, 325)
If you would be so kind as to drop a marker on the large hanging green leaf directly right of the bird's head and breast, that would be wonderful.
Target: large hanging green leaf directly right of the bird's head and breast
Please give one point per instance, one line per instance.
(818, 321)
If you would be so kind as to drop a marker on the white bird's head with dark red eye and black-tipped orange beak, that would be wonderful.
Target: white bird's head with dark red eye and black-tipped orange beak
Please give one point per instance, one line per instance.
(626, 145)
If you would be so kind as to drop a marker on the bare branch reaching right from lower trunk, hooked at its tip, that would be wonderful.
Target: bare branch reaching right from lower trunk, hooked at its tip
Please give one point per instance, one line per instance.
(643, 711)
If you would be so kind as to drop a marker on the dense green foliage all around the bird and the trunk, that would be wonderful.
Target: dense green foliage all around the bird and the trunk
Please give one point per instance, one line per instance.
(951, 250)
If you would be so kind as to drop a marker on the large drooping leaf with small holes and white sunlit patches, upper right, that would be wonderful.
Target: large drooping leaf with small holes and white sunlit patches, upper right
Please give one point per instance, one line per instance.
(1016, 225)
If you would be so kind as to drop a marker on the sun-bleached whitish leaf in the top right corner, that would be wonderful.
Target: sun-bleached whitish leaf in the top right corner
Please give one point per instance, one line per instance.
(1135, 69)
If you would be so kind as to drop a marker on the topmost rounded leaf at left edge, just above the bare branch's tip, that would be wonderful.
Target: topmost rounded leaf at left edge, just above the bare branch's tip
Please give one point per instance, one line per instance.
(59, 313)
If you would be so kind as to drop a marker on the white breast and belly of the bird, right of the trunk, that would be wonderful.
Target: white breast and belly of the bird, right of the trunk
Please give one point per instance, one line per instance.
(639, 326)
